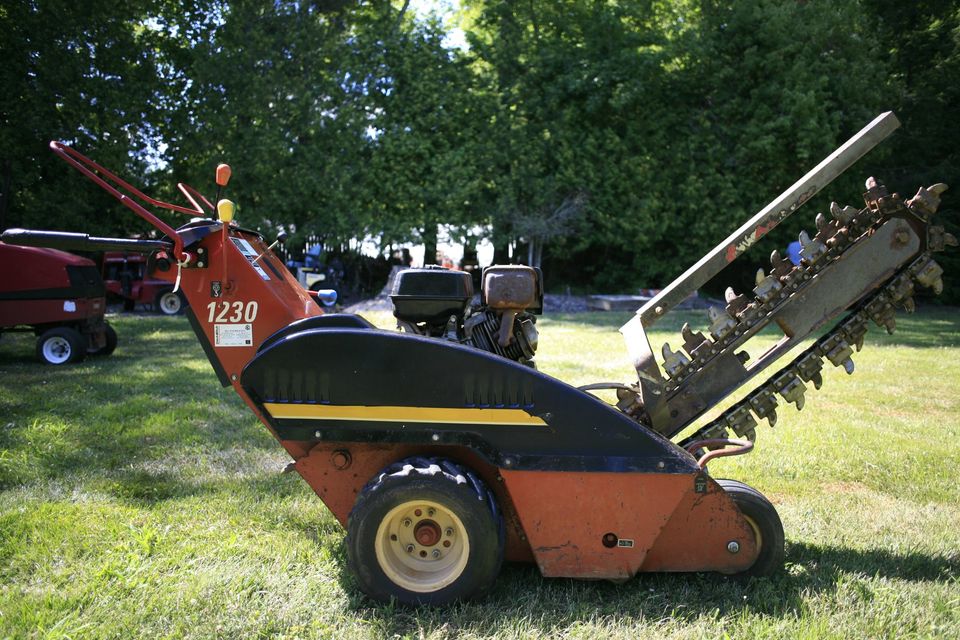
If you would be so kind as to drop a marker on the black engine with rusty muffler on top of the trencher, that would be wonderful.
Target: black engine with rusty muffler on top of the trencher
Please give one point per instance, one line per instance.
(437, 302)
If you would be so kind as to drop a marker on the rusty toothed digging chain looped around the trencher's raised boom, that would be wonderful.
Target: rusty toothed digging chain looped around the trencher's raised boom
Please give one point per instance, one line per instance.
(833, 238)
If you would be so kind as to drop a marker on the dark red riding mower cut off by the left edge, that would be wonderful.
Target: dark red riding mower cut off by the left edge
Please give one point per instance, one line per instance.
(60, 298)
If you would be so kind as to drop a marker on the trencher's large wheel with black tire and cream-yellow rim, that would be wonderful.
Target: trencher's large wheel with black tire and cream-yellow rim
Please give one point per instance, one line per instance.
(453, 490)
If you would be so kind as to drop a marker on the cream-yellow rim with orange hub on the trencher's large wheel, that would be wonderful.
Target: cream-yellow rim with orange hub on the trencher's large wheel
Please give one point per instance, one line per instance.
(422, 546)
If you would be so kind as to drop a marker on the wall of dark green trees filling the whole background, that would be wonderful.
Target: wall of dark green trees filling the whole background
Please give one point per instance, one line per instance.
(619, 140)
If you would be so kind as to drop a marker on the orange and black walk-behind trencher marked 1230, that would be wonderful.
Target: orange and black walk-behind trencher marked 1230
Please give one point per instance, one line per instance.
(443, 451)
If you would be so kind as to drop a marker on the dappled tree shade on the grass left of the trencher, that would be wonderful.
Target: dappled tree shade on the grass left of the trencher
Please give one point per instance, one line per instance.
(104, 414)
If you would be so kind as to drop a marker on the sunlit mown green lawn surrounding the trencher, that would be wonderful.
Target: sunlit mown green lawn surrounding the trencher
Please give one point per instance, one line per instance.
(139, 499)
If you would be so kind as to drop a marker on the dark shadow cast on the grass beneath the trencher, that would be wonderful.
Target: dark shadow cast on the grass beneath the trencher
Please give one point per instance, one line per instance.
(521, 597)
